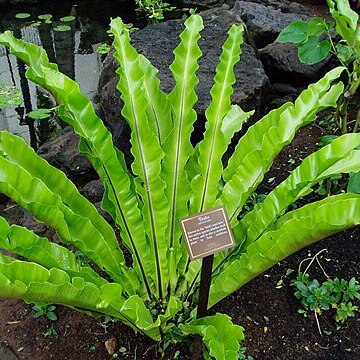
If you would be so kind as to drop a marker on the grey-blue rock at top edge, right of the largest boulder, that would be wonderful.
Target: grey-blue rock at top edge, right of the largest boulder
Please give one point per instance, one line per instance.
(264, 23)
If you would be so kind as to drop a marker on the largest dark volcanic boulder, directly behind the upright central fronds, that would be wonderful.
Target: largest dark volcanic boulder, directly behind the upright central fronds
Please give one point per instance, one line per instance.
(157, 43)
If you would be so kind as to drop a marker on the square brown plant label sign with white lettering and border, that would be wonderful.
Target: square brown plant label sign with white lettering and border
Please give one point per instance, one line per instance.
(207, 233)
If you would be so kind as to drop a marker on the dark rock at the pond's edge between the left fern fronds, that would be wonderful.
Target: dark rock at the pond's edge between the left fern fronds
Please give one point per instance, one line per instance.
(63, 153)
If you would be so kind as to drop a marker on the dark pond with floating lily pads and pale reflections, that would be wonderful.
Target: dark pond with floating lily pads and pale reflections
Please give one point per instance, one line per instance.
(74, 50)
